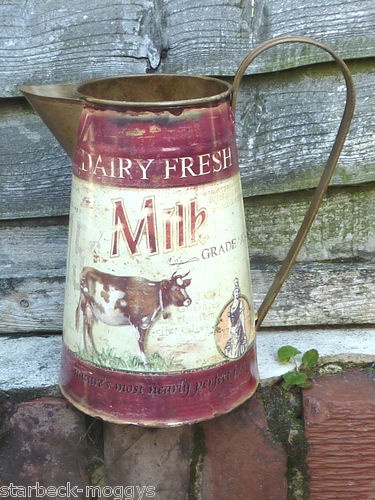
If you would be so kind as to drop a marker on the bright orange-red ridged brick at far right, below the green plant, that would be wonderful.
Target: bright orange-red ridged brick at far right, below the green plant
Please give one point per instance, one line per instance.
(339, 413)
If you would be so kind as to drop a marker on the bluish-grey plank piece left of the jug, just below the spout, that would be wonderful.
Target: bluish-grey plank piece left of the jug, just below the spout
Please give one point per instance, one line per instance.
(35, 173)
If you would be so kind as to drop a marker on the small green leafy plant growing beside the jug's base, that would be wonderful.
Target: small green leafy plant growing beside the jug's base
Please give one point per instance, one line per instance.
(302, 372)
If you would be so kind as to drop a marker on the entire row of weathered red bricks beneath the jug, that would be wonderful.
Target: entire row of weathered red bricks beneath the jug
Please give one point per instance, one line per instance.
(317, 443)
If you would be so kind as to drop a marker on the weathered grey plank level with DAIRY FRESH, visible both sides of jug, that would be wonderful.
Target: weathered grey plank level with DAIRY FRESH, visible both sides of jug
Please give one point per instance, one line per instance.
(285, 126)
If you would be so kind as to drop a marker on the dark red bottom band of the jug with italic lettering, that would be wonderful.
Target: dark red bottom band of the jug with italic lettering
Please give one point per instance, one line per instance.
(158, 400)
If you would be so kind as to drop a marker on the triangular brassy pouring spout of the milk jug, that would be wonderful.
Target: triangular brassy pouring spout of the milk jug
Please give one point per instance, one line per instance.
(59, 109)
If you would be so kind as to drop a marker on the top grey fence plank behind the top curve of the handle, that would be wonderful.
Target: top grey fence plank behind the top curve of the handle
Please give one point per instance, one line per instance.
(214, 37)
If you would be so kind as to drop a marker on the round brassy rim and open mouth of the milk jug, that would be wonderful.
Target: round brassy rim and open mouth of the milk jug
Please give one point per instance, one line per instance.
(88, 90)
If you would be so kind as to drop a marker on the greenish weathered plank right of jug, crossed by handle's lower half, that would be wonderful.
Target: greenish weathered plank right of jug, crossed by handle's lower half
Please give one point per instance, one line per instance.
(344, 229)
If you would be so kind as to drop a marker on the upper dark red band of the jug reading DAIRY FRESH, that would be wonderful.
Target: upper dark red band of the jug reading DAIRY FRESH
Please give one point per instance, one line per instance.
(156, 149)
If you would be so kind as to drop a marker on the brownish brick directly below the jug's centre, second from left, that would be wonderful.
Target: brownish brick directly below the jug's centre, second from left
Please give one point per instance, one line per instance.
(159, 458)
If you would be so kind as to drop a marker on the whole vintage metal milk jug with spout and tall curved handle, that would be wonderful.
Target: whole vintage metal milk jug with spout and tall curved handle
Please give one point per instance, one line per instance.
(159, 321)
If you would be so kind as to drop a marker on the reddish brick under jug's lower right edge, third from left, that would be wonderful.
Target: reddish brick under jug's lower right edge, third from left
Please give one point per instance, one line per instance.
(242, 461)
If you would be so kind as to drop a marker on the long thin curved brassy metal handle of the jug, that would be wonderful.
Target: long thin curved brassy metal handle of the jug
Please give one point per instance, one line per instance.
(328, 170)
